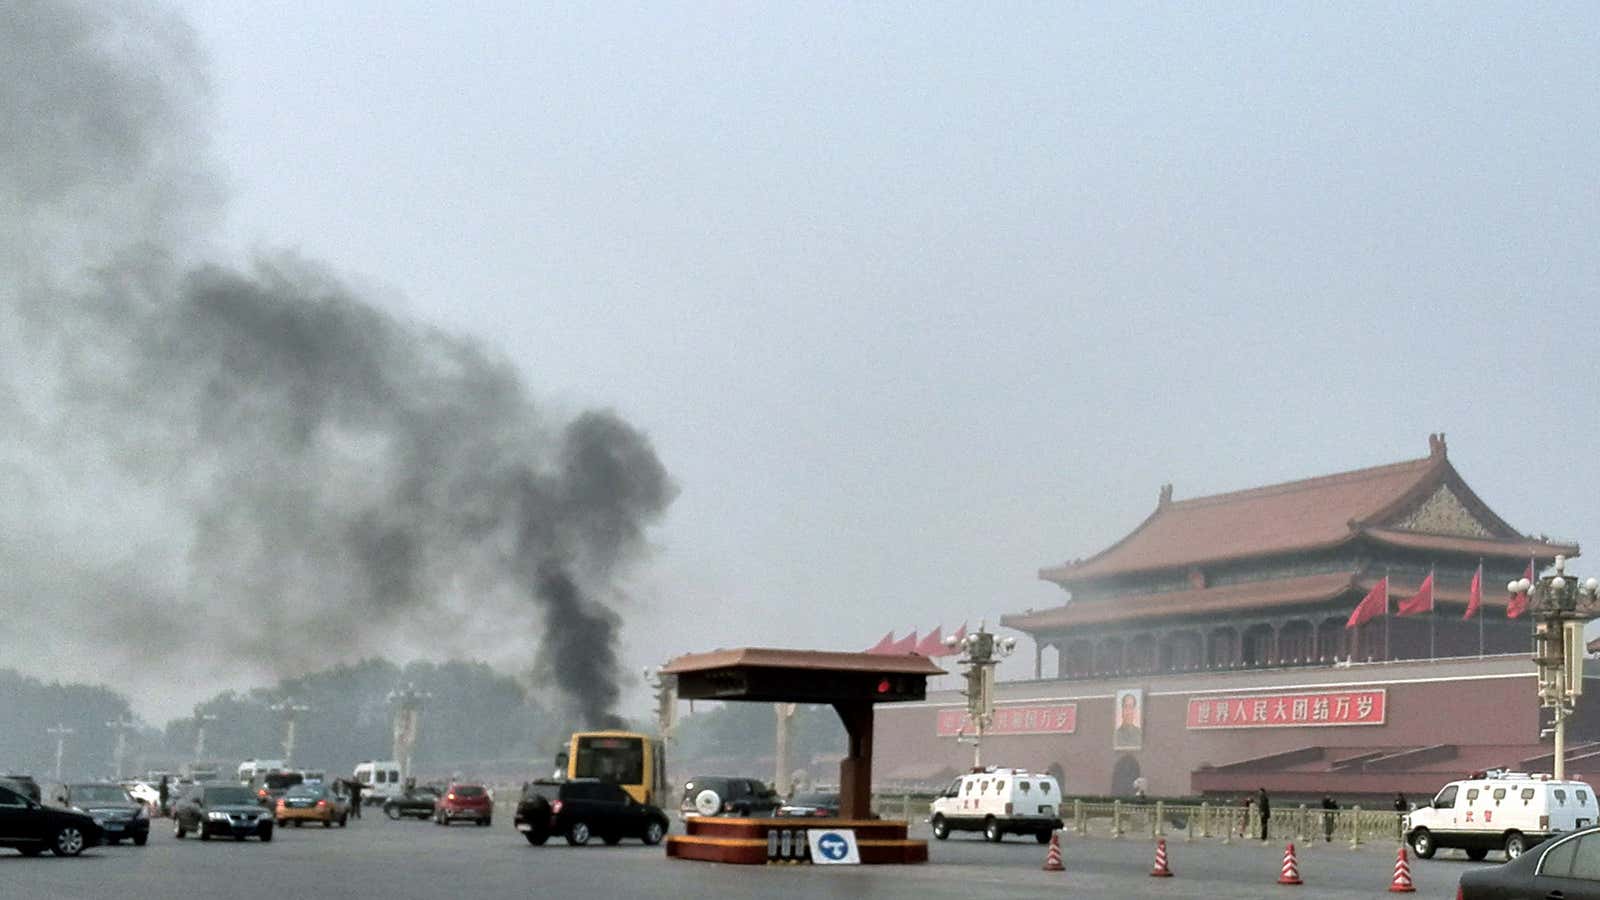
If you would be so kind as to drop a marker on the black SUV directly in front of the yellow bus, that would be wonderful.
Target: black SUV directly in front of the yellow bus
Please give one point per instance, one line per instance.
(583, 810)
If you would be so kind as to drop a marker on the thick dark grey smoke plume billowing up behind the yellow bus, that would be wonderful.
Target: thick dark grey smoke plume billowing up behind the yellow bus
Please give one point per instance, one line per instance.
(257, 470)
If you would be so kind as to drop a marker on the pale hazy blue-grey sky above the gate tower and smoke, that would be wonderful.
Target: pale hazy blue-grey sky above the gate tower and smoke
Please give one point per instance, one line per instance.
(914, 300)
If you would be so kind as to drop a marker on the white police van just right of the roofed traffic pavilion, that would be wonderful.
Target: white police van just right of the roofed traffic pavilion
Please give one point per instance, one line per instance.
(999, 803)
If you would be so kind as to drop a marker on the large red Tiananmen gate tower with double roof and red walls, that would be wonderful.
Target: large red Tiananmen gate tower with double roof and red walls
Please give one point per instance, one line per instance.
(1207, 651)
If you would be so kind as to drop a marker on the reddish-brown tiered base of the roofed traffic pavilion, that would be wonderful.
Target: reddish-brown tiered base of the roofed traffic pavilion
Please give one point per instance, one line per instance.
(761, 842)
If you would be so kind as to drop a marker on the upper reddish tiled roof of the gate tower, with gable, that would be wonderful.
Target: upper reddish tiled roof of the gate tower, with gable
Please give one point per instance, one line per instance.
(1297, 516)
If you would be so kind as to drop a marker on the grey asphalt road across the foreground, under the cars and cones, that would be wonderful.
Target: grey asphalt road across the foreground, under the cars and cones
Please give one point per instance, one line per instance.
(382, 859)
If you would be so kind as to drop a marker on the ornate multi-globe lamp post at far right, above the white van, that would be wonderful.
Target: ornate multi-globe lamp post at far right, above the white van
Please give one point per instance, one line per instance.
(1561, 606)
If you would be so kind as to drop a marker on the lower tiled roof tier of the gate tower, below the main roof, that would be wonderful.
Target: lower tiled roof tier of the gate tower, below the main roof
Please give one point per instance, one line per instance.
(1202, 601)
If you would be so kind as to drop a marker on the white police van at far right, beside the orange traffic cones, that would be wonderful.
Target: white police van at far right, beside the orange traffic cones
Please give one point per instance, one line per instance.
(1500, 811)
